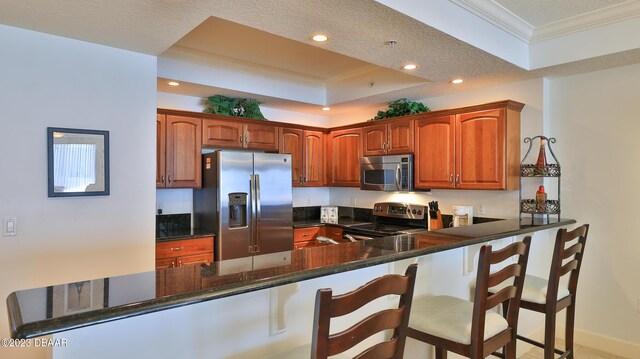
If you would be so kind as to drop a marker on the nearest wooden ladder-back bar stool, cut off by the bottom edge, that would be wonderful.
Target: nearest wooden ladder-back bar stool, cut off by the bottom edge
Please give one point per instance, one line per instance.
(327, 306)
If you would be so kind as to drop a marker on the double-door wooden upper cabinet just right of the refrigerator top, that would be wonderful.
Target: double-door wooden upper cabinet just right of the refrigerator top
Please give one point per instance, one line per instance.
(307, 156)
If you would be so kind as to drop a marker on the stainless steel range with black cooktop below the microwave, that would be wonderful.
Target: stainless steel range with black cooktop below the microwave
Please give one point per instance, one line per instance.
(391, 218)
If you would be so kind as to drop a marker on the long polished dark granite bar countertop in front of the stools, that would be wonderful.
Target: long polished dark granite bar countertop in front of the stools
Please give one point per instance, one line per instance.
(43, 311)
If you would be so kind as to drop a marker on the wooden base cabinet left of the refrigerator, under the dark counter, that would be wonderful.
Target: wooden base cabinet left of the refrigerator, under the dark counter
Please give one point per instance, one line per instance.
(184, 252)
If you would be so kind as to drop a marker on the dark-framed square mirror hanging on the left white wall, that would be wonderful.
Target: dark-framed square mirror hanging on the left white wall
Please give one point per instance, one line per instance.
(78, 162)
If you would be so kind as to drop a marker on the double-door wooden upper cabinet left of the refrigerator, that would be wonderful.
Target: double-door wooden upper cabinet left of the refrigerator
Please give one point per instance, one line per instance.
(178, 152)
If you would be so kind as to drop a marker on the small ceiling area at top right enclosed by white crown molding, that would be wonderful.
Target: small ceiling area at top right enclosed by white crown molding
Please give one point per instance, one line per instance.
(542, 12)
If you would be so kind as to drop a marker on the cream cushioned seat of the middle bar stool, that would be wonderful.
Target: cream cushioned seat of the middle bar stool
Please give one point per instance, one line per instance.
(450, 318)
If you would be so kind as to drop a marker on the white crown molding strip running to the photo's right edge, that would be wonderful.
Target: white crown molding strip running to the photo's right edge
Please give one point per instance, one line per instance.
(586, 21)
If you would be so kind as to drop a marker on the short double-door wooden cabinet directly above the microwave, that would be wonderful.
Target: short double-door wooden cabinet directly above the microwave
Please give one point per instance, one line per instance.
(395, 137)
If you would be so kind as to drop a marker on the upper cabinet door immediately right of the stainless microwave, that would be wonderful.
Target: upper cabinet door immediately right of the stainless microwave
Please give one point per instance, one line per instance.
(435, 152)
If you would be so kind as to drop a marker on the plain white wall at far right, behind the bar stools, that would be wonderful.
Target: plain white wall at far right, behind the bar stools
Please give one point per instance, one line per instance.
(594, 116)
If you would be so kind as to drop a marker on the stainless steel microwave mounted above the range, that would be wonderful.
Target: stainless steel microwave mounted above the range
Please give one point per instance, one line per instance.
(387, 173)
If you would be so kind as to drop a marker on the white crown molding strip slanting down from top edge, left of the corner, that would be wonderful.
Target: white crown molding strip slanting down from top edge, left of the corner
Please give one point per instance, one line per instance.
(499, 16)
